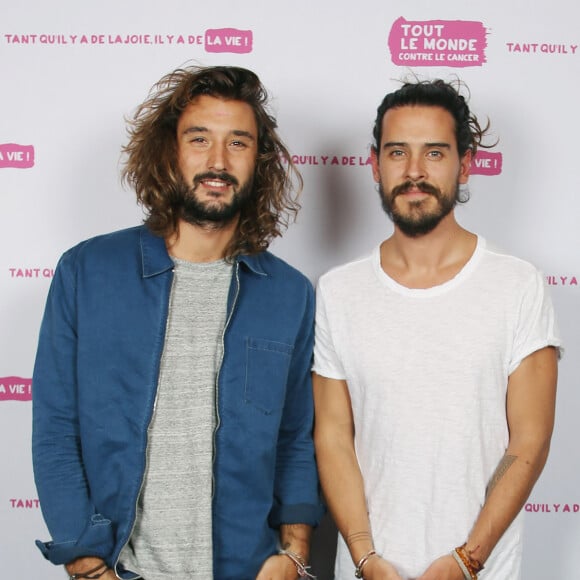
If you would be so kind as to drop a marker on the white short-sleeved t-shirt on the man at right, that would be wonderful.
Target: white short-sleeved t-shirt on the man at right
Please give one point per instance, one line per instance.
(427, 372)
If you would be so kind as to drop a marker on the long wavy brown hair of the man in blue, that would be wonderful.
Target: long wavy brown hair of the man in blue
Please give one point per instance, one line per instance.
(151, 156)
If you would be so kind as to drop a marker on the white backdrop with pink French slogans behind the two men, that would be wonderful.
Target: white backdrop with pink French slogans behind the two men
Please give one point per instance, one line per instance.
(72, 71)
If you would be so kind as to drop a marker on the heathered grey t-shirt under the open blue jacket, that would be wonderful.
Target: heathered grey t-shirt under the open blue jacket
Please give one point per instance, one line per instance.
(172, 535)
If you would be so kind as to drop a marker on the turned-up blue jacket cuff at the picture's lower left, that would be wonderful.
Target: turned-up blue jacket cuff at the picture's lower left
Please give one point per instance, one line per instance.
(96, 540)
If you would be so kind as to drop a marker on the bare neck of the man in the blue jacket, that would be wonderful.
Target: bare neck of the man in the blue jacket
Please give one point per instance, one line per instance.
(200, 242)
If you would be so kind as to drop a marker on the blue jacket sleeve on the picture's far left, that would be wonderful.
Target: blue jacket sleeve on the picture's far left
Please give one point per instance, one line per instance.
(56, 448)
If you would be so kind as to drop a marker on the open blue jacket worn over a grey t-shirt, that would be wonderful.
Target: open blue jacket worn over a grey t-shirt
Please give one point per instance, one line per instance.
(94, 390)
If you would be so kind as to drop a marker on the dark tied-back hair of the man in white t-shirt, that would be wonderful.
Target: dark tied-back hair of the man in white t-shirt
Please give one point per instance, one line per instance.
(436, 93)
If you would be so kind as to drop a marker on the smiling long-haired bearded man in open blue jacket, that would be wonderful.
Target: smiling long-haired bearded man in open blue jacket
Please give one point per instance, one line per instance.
(172, 406)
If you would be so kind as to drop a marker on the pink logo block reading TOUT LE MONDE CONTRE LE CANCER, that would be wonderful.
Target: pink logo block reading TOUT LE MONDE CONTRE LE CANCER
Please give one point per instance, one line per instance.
(456, 43)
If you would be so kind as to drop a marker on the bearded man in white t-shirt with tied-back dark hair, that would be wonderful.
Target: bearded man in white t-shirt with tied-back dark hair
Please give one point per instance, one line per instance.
(435, 368)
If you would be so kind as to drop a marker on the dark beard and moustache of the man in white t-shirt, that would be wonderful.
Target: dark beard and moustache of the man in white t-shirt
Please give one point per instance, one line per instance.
(418, 222)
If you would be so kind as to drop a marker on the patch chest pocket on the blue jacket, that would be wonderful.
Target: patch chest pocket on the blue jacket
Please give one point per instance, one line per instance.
(267, 366)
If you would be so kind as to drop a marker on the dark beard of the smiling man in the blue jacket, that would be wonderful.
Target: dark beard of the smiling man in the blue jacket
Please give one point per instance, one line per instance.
(212, 213)
